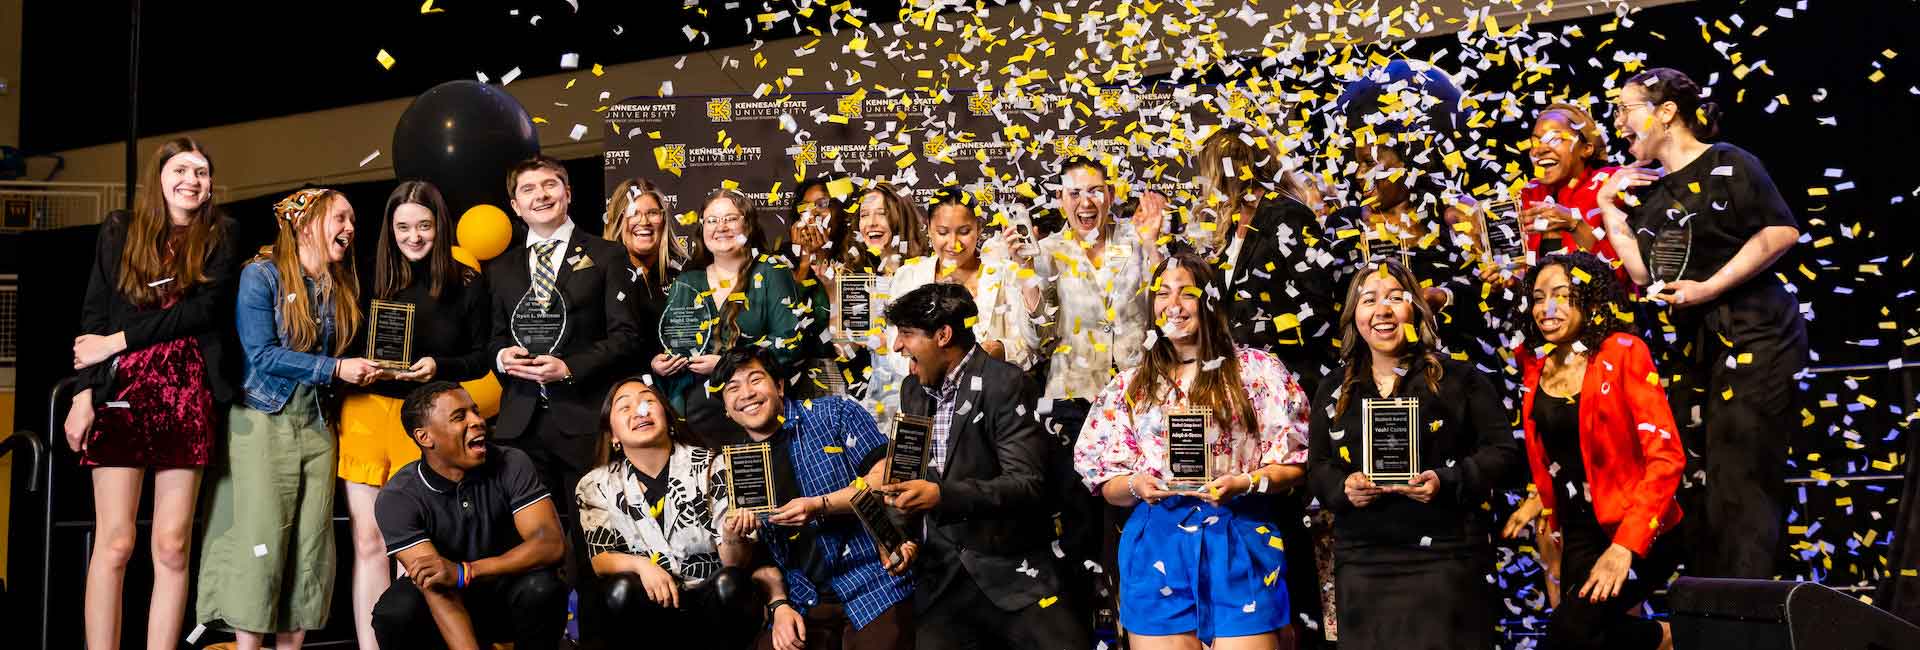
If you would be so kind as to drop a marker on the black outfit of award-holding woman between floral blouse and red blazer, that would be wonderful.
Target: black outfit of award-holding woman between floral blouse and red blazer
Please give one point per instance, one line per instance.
(1412, 576)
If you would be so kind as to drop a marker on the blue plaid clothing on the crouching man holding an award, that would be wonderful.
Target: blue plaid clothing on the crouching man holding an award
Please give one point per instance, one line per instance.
(828, 440)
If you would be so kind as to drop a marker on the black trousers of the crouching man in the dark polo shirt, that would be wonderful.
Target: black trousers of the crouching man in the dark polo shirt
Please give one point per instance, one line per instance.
(529, 611)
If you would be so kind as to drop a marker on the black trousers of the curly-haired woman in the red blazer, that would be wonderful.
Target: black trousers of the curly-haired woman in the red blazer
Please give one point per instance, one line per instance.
(1583, 624)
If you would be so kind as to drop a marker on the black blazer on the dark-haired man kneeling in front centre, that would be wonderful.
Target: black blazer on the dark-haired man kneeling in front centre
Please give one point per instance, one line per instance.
(994, 517)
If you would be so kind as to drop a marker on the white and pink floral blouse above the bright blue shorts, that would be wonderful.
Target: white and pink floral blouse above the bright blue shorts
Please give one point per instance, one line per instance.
(1120, 440)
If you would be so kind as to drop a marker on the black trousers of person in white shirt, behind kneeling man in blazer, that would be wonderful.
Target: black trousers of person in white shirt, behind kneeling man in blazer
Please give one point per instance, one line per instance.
(1088, 530)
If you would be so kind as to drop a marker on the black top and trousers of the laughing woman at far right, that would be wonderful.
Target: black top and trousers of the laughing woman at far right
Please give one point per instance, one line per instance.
(1748, 411)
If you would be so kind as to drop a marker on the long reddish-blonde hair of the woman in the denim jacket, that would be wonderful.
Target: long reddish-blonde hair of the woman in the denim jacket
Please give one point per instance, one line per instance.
(299, 325)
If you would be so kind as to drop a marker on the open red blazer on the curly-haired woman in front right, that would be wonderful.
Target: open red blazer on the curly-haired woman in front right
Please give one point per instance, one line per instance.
(1627, 442)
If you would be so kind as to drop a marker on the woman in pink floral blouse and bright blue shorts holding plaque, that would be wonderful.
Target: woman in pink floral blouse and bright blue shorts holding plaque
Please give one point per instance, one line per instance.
(1180, 438)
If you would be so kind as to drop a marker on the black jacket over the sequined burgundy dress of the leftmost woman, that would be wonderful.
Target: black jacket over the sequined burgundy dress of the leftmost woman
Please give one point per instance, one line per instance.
(206, 312)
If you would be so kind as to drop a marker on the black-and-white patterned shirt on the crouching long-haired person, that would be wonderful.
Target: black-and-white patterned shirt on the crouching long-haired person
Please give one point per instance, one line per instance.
(683, 536)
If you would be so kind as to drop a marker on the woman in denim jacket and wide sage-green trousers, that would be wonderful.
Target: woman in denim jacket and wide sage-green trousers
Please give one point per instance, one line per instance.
(270, 536)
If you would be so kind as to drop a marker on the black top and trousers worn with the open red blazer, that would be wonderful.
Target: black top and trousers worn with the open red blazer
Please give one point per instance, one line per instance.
(1579, 622)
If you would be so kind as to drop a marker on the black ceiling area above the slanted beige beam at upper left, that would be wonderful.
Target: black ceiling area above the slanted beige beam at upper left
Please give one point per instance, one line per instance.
(220, 62)
